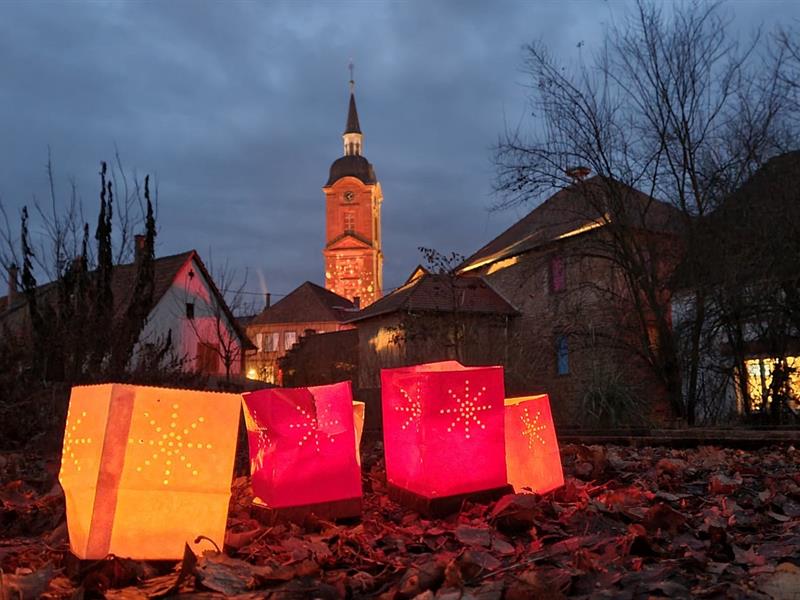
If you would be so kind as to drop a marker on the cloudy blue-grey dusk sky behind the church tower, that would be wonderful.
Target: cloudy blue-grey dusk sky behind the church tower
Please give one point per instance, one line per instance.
(237, 110)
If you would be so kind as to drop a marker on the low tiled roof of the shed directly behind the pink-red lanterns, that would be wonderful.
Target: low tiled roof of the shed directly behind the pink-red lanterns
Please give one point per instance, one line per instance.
(440, 293)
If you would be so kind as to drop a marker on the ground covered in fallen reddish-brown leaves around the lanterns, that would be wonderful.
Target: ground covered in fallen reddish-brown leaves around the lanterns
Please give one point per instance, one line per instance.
(629, 523)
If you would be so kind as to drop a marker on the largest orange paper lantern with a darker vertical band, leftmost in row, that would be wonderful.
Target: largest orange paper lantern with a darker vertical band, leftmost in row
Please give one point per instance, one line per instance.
(146, 470)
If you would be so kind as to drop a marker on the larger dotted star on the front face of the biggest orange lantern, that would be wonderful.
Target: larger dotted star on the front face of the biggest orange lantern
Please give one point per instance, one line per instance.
(171, 445)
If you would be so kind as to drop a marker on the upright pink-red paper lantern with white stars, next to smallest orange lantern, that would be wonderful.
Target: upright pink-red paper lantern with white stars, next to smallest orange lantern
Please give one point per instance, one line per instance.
(443, 428)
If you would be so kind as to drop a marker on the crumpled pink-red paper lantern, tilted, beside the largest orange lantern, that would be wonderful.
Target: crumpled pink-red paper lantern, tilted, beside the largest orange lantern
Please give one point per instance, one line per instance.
(303, 445)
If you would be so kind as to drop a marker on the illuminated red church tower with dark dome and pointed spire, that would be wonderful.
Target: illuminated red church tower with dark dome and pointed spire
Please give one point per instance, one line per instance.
(353, 257)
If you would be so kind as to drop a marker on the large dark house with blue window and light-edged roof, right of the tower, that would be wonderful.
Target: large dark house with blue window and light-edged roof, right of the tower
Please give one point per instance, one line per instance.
(578, 337)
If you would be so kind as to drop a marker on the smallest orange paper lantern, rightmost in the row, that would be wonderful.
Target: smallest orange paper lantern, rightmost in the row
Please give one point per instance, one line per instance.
(532, 456)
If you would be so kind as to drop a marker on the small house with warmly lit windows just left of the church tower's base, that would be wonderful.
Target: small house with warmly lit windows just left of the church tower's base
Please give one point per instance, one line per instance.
(307, 309)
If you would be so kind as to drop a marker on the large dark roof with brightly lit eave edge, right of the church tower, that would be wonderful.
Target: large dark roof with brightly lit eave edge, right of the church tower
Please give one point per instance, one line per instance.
(573, 210)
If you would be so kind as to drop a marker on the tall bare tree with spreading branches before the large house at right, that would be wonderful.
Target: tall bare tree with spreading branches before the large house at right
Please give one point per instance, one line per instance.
(671, 105)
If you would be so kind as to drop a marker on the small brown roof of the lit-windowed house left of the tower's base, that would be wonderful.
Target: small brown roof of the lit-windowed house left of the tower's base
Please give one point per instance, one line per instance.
(307, 303)
